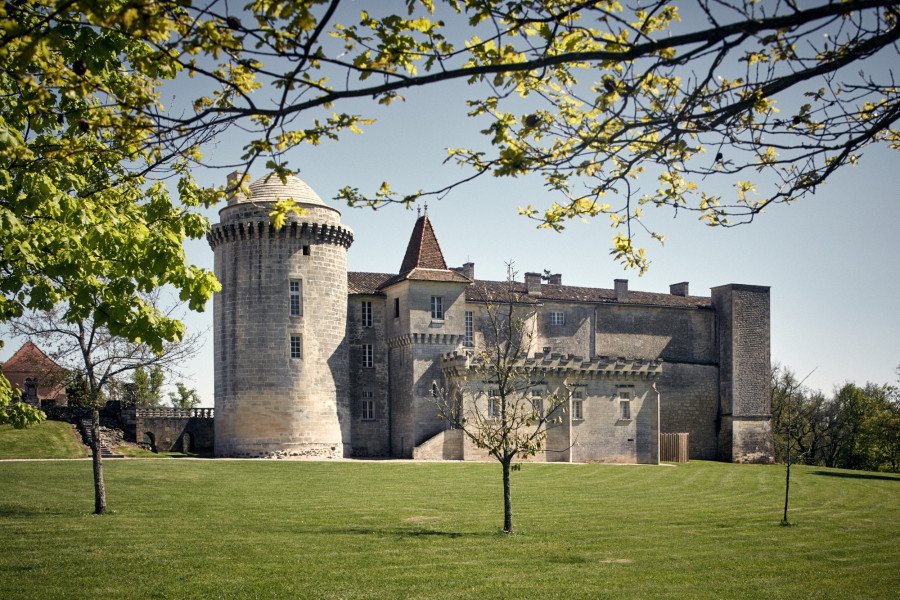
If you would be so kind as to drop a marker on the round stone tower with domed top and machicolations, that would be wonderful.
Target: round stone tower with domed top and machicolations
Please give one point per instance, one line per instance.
(281, 365)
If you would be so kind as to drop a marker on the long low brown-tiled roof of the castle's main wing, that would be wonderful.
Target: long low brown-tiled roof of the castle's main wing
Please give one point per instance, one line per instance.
(373, 283)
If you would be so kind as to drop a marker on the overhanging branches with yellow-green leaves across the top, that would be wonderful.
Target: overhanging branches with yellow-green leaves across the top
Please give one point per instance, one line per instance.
(592, 96)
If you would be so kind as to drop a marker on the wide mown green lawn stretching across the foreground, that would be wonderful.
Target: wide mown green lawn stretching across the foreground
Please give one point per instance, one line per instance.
(280, 529)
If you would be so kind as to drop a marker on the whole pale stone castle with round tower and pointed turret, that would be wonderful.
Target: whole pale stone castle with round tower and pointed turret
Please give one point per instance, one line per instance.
(314, 361)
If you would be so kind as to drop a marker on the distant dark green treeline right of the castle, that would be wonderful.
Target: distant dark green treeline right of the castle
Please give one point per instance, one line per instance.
(853, 428)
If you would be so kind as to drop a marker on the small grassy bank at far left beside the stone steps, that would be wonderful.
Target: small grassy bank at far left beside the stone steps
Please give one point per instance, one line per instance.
(50, 439)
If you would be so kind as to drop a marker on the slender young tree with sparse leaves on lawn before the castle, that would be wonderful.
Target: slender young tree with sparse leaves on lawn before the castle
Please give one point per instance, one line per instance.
(492, 398)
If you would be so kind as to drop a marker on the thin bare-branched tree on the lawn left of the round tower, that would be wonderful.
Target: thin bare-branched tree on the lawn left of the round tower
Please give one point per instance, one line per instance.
(85, 345)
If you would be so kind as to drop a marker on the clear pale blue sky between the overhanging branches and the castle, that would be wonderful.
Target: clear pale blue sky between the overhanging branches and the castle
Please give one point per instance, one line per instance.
(832, 260)
